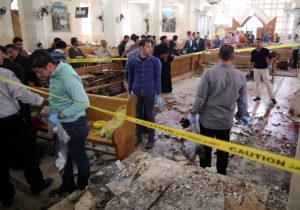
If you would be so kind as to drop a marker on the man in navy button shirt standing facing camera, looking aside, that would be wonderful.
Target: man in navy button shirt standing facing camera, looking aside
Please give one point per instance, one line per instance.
(144, 82)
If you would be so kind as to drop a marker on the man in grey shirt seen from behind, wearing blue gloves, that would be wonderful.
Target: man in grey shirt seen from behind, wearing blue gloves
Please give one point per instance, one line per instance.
(220, 88)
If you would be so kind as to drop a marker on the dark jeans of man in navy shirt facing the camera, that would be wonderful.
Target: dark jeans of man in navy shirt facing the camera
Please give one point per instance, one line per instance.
(144, 107)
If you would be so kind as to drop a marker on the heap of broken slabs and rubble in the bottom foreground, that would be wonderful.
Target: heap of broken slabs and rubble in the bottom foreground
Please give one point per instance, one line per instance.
(143, 181)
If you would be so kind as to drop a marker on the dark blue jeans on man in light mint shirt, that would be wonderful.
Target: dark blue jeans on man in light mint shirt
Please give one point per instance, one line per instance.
(78, 131)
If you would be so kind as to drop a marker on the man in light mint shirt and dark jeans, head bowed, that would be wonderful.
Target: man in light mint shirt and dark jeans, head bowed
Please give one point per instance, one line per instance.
(65, 82)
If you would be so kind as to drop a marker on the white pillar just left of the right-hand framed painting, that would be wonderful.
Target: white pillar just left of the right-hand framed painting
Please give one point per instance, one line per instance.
(155, 17)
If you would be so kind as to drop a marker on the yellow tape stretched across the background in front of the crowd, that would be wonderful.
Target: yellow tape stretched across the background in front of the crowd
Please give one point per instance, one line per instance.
(97, 60)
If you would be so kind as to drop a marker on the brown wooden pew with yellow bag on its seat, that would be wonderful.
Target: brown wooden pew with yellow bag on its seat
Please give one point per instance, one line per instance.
(123, 139)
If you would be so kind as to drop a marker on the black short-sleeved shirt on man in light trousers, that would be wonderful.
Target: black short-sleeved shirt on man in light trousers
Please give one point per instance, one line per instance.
(259, 58)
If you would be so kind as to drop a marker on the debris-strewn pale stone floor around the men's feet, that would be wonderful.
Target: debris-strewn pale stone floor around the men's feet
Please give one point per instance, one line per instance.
(270, 129)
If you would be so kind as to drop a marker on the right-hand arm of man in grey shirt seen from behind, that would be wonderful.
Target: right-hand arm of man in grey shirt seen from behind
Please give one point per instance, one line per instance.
(242, 101)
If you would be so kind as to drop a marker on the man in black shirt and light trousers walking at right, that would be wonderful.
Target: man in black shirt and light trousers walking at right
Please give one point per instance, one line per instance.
(259, 58)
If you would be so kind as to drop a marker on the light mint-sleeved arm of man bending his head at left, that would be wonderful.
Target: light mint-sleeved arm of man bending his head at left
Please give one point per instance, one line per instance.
(76, 92)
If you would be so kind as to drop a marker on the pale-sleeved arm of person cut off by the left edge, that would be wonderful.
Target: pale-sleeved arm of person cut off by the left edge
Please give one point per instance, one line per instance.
(22, 94)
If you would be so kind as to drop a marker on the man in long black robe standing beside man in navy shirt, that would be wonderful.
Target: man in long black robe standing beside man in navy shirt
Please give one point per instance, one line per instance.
(162, 52)
